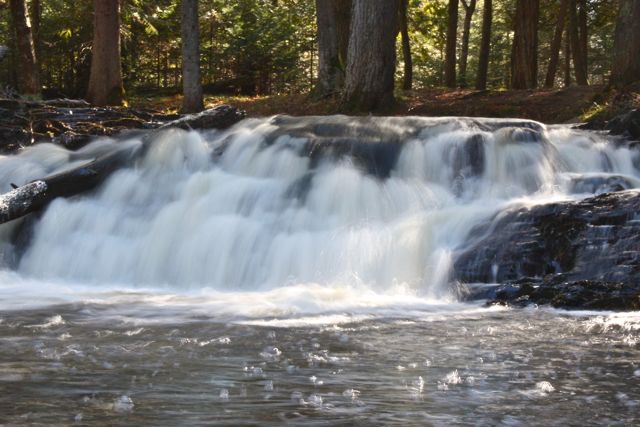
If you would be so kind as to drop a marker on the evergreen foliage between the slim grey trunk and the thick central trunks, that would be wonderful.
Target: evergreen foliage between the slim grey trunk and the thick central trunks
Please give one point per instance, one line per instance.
(259, 47)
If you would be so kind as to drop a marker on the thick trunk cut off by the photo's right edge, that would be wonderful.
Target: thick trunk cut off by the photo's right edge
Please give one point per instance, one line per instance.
(626, 47)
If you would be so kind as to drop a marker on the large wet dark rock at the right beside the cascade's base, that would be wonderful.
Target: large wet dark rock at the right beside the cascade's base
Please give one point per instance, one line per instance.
(574, 255)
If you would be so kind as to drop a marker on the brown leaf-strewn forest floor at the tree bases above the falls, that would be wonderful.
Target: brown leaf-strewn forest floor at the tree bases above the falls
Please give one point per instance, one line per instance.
(574, 104)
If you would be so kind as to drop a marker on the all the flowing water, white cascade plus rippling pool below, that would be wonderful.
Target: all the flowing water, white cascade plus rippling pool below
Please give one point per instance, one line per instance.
(297, 271)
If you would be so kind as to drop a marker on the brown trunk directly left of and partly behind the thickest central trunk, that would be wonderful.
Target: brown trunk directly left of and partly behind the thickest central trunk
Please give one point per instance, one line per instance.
(333, 18)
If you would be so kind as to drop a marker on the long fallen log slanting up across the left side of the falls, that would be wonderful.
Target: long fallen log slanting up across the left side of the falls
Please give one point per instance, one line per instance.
(37, 194)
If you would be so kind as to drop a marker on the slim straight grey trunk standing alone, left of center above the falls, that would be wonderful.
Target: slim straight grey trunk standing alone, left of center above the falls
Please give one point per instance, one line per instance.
(192, 101)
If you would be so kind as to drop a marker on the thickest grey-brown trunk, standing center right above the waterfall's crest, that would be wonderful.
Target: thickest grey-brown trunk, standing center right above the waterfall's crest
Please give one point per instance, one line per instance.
(371, 58)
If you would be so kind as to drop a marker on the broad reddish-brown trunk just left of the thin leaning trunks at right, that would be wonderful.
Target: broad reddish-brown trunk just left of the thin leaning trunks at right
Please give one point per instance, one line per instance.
(524, 57)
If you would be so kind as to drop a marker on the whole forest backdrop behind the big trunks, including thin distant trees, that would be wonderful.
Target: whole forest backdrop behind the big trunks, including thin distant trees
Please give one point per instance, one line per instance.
(270, 47)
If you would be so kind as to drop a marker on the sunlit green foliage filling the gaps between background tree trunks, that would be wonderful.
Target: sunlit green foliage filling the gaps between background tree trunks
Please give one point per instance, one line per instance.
(255, 47)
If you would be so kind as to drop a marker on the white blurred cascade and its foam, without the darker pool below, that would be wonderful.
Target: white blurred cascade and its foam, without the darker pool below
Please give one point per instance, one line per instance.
(188, 226)
